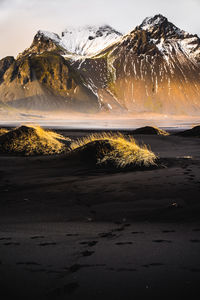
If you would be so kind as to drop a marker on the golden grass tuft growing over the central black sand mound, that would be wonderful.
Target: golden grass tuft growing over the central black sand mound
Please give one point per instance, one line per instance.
(123, 151)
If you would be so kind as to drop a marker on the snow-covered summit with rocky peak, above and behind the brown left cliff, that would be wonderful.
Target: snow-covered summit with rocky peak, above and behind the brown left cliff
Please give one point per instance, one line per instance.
(80, 41)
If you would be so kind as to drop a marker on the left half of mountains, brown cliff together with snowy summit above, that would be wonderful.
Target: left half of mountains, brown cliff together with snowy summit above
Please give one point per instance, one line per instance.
(42, 79)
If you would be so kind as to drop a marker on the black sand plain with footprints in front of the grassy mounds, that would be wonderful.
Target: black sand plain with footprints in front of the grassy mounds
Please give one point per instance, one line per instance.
(71, 231)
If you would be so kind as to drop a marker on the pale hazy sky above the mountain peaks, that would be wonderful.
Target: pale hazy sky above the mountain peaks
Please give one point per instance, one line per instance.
(20, 19)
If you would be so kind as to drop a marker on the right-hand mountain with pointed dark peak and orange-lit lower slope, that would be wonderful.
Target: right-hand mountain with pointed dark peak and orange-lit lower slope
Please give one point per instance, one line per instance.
(154, 68)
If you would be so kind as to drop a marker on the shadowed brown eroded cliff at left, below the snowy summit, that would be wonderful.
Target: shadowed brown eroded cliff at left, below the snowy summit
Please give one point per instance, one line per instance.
(45, 81)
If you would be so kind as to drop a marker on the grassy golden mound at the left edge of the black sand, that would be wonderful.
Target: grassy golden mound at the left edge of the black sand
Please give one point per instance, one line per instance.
(32, 140)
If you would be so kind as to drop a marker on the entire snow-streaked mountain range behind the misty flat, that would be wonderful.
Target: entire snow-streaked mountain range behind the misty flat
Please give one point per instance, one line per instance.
(154, 68)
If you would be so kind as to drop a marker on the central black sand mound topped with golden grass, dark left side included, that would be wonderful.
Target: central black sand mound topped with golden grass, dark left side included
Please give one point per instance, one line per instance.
(114, 149)
